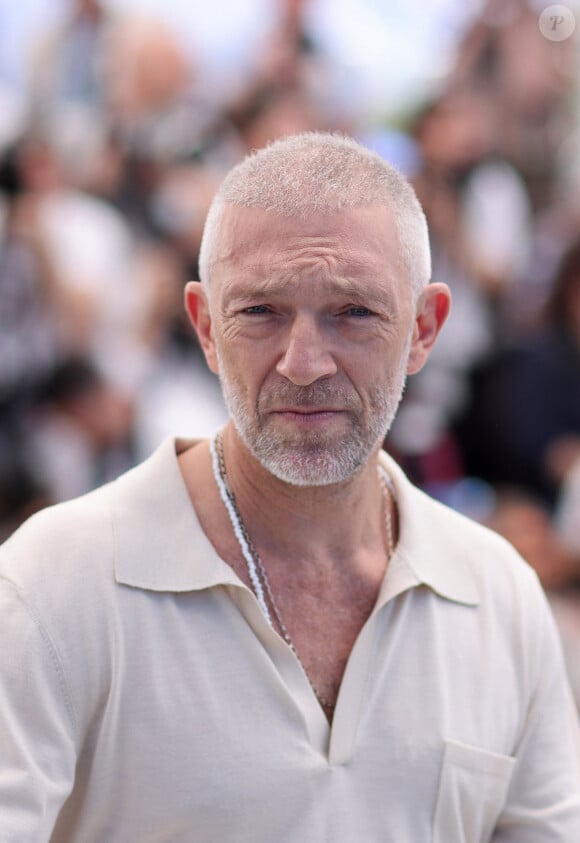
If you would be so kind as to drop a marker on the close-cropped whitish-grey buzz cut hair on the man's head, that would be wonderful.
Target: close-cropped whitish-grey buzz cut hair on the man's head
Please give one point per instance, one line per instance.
(321, 173)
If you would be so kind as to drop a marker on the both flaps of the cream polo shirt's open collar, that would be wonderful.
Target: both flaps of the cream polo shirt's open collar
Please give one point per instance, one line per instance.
(160, 545)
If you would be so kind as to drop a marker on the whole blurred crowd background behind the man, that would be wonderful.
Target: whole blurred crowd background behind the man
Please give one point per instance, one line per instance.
(117, 122)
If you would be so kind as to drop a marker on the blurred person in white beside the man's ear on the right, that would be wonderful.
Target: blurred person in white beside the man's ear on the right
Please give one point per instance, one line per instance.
(480, 229)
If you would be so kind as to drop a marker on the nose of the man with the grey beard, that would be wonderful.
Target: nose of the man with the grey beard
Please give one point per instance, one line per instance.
(306, 357)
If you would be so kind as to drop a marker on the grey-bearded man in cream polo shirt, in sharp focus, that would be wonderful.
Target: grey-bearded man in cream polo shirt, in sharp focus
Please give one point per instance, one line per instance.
(273, 636)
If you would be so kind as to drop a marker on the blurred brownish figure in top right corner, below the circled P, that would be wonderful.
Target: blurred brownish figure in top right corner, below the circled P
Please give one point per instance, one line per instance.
(530, 79)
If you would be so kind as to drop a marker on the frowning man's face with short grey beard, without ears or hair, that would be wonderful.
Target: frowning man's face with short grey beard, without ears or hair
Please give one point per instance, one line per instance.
(312, 322)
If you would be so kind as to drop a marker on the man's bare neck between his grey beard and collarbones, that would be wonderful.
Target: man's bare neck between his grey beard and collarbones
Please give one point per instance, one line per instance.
(331, 525)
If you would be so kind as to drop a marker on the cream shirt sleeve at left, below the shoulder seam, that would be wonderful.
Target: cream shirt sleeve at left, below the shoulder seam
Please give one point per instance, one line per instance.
(37, 743)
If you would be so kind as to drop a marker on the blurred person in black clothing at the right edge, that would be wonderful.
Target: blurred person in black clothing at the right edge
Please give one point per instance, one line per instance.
(523, 425)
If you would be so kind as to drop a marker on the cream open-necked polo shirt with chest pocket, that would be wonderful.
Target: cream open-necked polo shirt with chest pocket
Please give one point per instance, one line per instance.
(144, 698)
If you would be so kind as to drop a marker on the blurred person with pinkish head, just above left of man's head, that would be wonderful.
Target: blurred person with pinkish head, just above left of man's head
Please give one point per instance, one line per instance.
(161, 120)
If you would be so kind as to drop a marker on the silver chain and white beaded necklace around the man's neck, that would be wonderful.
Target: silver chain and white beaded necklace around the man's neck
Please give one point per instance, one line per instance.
(255, 566)
